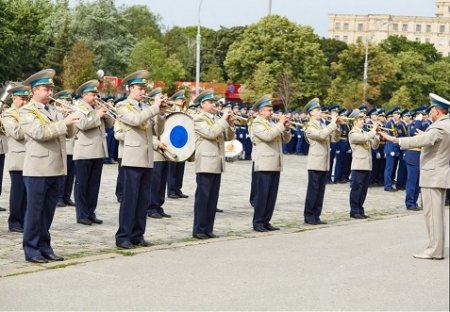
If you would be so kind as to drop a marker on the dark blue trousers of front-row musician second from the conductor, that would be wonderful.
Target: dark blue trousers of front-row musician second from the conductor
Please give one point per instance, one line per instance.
(314, 195)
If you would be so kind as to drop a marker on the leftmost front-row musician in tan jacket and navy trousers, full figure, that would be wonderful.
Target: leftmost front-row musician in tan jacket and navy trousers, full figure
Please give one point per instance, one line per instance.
(44, 165)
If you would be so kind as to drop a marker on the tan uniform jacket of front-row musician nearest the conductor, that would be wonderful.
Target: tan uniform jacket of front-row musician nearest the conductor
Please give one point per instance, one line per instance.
(362, 143)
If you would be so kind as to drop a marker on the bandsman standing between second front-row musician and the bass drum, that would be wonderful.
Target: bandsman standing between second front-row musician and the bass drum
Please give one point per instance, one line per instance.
(160, 167)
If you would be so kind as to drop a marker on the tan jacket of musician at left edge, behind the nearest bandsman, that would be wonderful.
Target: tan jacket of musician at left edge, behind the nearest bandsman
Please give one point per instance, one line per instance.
(15, 138)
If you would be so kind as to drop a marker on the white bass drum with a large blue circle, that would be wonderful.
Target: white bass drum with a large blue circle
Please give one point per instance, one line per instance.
(178, 135)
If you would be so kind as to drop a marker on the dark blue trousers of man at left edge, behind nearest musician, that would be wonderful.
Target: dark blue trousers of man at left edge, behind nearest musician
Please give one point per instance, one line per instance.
(17, 200)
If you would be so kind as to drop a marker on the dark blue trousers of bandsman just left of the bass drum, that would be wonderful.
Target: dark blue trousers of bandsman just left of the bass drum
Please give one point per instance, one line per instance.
(158, 188)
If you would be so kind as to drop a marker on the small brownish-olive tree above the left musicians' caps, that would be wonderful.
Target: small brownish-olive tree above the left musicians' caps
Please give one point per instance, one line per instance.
(78, 66)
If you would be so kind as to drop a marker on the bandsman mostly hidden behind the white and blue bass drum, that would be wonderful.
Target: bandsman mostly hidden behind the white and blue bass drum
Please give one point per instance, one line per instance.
(176, 169)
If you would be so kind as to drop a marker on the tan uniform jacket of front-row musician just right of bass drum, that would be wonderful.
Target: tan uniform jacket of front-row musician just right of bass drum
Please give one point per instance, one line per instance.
(210, 135)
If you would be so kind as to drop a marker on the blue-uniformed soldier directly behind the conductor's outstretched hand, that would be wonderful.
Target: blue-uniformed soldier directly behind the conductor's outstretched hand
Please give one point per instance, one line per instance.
(391, 150)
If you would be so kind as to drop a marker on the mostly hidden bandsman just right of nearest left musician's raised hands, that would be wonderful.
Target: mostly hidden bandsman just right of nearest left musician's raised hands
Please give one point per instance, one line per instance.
(65, 194)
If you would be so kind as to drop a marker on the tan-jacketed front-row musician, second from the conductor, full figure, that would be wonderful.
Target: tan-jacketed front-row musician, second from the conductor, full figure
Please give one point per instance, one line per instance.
(319, 136)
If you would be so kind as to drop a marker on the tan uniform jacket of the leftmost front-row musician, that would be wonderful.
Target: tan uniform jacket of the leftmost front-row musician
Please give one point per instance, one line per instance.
(45, 133)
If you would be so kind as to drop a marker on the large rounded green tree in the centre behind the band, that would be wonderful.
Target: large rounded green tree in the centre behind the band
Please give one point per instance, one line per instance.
(281, 45)
